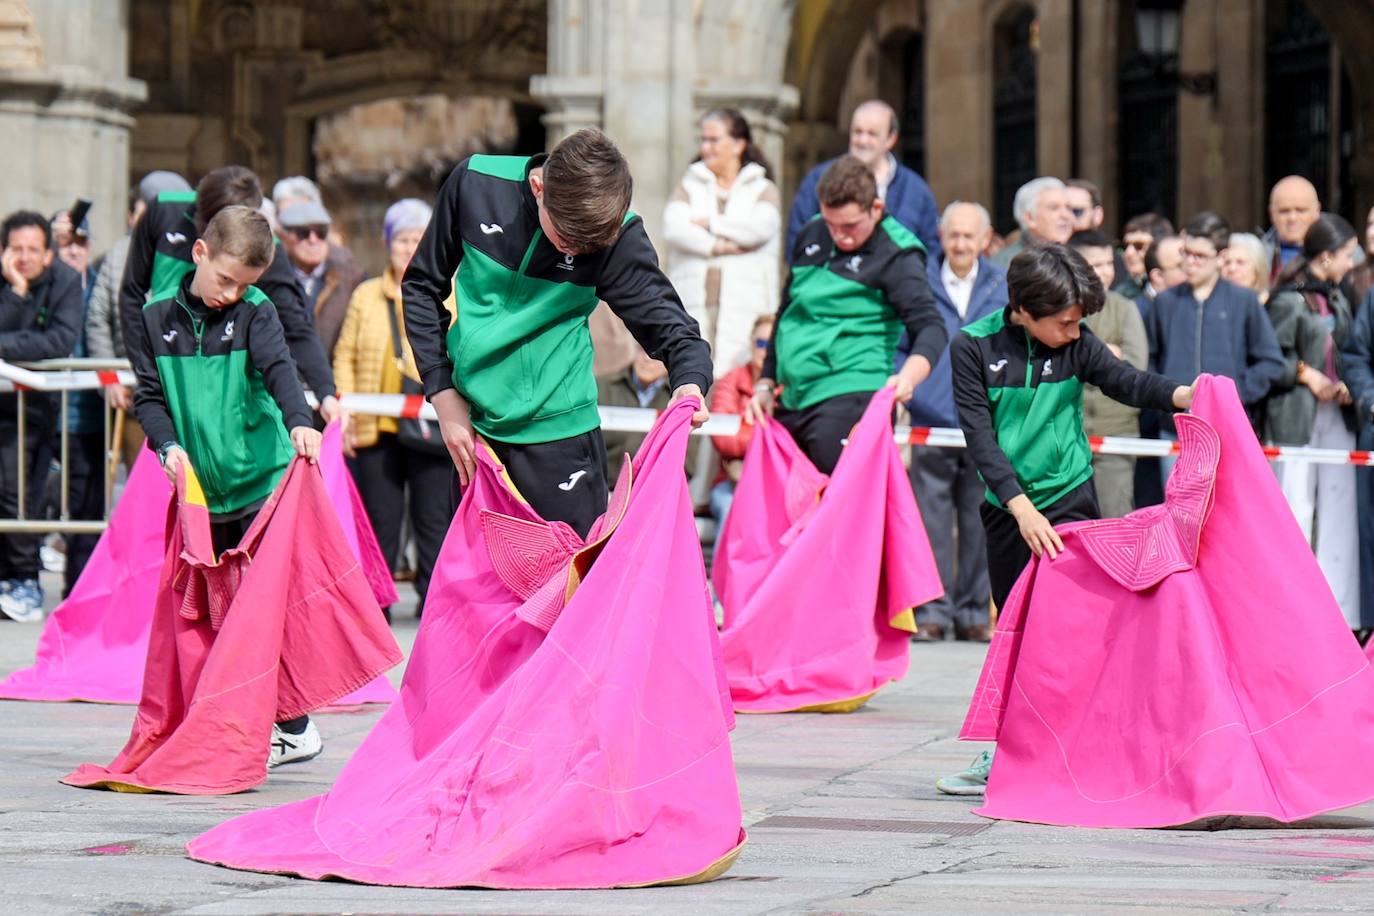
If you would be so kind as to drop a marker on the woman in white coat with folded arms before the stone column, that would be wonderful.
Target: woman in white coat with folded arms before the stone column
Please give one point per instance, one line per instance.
(722, 227)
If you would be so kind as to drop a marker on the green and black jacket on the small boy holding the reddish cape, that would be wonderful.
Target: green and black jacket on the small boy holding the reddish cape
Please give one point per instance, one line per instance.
(221, 384)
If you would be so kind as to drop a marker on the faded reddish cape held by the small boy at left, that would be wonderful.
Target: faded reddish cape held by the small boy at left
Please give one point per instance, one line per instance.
(274, 628)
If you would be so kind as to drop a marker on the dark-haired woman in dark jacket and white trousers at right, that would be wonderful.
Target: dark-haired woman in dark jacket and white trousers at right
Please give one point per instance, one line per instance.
(1311, 404)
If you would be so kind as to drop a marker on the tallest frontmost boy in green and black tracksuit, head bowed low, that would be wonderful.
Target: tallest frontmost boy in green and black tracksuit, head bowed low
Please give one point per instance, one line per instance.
(535, 244)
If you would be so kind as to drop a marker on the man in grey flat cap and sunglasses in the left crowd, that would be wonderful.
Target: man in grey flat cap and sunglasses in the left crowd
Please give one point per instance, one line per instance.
(328, 273)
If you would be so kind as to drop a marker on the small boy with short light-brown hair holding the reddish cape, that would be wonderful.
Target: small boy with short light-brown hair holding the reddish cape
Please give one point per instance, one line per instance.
(218, 391)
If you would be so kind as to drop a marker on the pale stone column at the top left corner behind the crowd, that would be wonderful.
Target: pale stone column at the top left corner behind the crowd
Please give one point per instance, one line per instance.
(65, 102)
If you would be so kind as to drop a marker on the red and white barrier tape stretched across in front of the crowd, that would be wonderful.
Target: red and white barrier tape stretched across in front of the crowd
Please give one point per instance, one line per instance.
(630, 420)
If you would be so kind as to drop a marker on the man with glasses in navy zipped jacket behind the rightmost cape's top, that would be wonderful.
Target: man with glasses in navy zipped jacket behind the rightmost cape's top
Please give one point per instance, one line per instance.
(1208, 325)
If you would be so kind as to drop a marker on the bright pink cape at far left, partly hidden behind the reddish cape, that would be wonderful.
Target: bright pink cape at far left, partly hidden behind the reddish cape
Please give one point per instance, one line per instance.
(94, 645)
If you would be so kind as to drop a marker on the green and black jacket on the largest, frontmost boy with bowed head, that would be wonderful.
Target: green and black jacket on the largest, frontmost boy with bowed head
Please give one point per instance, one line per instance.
(520, 351)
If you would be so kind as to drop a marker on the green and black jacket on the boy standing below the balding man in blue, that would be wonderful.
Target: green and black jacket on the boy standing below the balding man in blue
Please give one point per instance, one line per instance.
(843, 314)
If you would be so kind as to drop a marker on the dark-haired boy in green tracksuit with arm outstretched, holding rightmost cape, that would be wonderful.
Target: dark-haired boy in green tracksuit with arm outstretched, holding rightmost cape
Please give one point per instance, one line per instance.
(1019, 380)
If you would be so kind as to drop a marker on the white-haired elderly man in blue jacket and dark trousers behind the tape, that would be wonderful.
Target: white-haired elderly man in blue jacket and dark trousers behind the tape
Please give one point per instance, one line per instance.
(967, 288)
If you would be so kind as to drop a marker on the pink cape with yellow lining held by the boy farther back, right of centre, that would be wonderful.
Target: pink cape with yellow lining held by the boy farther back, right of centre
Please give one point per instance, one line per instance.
(818, 577)
